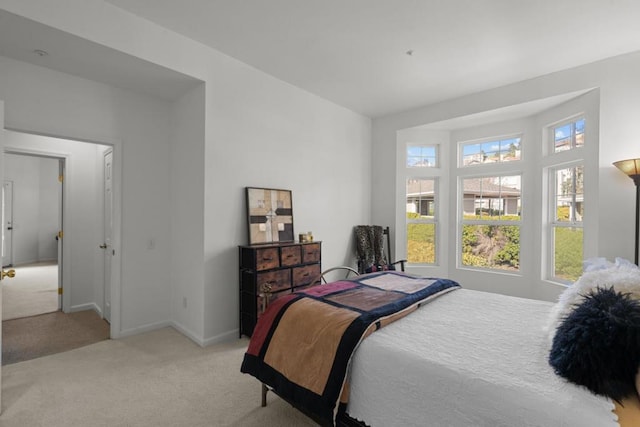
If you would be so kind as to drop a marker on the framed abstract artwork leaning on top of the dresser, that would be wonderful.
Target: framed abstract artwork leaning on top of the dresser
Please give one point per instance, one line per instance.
(269, 215)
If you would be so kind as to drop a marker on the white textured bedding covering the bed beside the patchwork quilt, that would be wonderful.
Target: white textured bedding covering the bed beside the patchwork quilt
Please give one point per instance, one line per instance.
(468, 358)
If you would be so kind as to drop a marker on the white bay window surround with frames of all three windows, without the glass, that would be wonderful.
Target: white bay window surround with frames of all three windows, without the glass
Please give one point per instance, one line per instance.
(533, 166)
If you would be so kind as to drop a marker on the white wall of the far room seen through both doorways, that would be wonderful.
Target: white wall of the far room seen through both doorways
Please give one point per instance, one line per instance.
(35, 207)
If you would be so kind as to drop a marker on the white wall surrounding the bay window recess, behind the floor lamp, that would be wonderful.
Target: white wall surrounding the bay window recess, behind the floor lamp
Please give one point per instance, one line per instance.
(619, 109)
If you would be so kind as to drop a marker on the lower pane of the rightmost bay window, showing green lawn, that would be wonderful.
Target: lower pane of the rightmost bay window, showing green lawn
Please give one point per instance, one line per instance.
(567, 248)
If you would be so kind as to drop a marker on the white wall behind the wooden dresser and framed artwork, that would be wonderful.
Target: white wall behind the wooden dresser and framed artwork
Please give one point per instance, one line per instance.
(269, 134)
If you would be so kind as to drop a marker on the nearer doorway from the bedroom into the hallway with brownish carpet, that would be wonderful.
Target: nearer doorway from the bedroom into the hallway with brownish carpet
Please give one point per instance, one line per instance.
(74, 166)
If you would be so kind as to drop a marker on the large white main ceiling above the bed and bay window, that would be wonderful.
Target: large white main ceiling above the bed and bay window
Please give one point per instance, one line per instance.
(379, 57)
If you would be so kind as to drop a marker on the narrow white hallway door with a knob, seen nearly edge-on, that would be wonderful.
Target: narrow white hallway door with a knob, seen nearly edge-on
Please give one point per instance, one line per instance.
(108, 231)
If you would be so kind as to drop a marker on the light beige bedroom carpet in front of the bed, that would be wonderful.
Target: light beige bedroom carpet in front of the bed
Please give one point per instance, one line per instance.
(160, 378)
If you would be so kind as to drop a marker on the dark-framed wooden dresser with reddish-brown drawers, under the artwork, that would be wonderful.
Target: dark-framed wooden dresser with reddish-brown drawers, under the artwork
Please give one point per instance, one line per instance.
(285, 267)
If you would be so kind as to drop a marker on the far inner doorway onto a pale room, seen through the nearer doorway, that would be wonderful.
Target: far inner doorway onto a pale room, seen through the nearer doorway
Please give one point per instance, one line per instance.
(31, 244)
